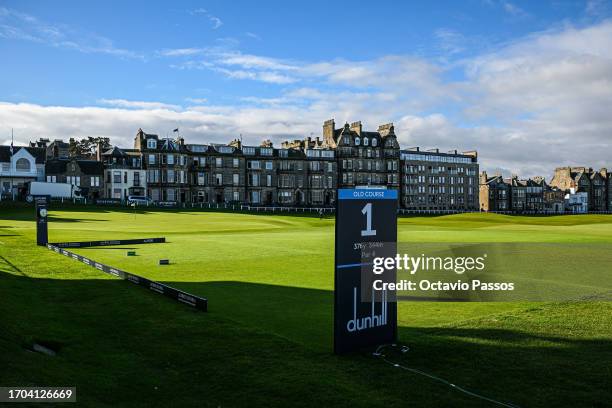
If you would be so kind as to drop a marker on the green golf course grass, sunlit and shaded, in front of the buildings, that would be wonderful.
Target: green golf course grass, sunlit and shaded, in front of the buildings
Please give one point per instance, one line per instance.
(266, 339)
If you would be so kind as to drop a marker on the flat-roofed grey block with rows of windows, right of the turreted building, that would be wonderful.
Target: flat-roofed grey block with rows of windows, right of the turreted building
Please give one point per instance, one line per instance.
(432, 180)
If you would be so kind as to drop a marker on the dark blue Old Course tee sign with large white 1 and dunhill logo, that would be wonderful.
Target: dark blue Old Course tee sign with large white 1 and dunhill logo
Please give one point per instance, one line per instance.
(366, 226)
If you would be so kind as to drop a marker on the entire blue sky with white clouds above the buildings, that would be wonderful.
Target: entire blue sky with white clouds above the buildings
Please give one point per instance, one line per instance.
(526, 84)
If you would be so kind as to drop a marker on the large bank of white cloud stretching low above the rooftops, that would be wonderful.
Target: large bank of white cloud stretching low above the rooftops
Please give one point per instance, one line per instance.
(537, 103)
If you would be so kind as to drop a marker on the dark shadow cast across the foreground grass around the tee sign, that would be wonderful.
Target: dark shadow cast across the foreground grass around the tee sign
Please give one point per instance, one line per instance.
(508, 363)
